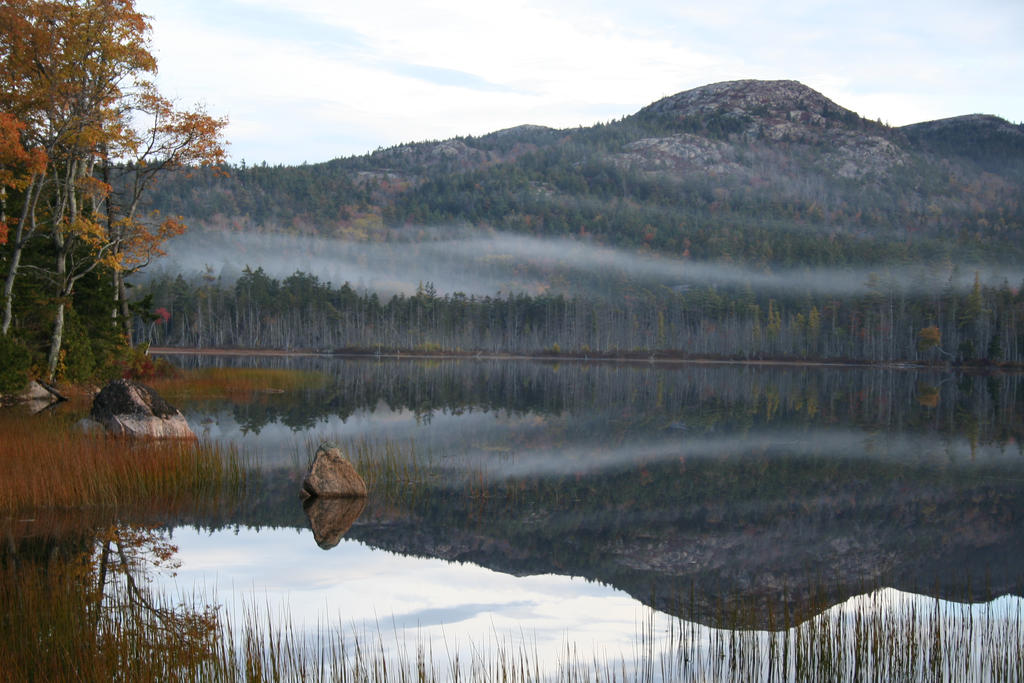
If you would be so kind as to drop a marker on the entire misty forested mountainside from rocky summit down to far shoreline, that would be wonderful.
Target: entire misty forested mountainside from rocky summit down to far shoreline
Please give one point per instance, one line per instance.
(845, 239)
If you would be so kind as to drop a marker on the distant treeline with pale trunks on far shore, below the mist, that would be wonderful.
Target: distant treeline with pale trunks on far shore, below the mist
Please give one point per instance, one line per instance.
(983, 325)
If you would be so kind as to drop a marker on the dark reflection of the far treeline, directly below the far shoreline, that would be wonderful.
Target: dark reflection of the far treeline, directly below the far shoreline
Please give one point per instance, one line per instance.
(643, 396)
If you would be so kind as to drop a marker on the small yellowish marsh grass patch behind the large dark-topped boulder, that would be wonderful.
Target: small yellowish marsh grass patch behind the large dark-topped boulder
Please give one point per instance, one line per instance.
(238, 385)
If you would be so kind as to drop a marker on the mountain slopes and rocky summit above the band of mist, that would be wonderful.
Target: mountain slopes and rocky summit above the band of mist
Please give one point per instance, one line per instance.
(762, 173)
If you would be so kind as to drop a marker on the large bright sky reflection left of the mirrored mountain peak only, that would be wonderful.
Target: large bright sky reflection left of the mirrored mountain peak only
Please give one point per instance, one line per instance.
(425, 601)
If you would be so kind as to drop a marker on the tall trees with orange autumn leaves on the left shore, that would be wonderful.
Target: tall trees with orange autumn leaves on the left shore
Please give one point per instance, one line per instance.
(83, 135)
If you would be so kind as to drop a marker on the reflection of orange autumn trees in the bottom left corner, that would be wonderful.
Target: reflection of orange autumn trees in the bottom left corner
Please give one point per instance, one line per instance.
(78, 606)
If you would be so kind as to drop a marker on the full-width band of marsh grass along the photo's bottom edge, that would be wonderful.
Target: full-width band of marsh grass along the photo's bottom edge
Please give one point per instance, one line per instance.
(53, 630)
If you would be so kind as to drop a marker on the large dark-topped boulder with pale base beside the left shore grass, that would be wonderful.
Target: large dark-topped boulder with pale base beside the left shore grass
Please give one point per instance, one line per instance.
(131, 409)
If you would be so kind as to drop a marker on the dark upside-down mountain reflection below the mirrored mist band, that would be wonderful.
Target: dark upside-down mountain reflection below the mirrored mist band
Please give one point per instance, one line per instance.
(686, 537)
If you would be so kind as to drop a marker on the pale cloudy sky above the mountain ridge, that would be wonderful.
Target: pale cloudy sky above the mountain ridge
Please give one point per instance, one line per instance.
(313, 80)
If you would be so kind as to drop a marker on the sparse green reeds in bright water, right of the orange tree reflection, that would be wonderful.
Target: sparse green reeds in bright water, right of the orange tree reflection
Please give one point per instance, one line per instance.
(885, 636)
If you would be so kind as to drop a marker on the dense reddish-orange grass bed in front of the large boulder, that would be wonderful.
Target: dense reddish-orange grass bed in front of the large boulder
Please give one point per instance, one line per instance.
(50, 462)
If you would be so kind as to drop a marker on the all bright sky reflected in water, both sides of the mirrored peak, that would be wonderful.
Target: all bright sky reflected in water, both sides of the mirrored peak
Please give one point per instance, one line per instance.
(396, 604)
